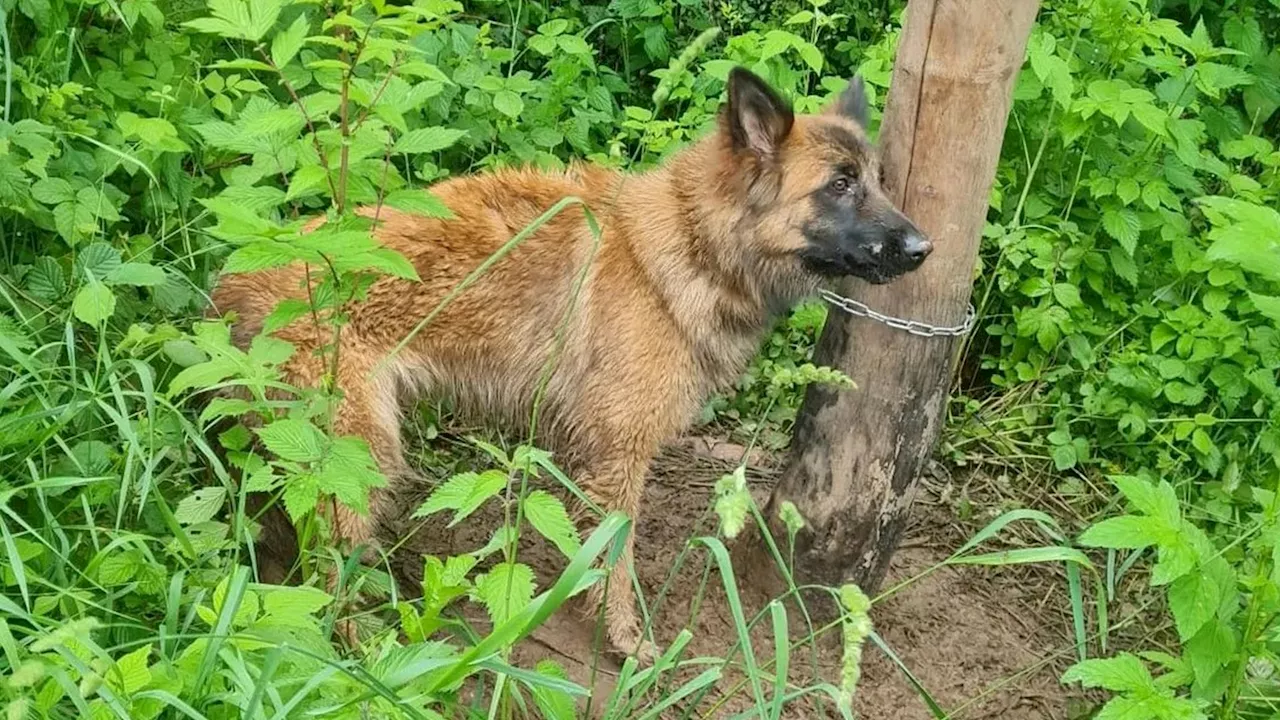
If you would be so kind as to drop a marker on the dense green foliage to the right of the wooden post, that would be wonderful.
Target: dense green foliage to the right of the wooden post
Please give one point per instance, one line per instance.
(1130, 285)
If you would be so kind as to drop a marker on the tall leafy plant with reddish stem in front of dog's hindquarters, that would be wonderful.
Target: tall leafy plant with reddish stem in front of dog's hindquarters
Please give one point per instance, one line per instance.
(337, 131)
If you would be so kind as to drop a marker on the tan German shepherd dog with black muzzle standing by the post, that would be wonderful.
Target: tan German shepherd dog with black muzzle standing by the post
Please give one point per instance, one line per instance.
(696, 262)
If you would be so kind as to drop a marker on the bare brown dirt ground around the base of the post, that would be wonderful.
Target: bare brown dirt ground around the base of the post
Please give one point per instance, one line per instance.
(988, 644)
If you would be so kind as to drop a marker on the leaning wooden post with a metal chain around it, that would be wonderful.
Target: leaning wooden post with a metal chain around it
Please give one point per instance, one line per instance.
(857, 454)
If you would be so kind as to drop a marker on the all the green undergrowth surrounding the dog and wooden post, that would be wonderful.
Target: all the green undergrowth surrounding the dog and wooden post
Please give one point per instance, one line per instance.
(1128, 294)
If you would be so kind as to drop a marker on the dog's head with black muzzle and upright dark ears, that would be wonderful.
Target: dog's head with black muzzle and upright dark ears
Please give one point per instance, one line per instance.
(813, 185)
